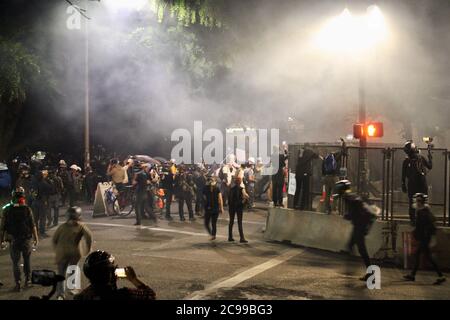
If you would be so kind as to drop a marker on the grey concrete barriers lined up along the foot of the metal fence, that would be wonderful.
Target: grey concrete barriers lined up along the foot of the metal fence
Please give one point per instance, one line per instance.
(332, 233)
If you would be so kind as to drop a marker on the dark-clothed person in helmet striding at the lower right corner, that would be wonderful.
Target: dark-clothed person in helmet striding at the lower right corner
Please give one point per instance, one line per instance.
(423, 232)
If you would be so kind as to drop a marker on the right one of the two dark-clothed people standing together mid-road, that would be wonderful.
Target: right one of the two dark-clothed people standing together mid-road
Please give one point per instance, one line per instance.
(236, 202)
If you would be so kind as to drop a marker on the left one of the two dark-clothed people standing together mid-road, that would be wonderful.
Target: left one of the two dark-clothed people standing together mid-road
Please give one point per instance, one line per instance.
(212, 199)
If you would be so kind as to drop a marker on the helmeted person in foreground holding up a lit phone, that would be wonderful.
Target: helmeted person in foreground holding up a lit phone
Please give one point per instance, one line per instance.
(100, 268)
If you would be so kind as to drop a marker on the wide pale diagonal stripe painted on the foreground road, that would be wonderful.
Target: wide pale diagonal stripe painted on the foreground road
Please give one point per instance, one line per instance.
(245, 275)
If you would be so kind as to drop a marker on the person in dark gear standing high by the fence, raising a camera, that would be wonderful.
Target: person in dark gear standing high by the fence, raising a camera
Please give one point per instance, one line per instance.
(414, 171)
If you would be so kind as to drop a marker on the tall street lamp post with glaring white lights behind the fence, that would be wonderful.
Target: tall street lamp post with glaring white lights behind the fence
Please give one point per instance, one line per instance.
(354, 35)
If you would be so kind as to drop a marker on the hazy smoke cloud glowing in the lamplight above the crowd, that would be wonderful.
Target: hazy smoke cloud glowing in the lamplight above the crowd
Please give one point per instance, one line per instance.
(140, 92)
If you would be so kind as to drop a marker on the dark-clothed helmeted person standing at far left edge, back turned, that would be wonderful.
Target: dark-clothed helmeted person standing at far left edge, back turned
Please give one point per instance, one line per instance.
(18, 223)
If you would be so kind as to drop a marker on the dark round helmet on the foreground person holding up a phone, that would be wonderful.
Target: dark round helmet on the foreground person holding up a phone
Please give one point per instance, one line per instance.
(99, 267)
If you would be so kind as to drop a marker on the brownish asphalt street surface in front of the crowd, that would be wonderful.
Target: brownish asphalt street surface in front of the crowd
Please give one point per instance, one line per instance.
(178, 261)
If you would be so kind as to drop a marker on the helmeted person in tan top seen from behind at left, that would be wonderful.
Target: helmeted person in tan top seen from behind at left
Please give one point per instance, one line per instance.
(66, 243)
